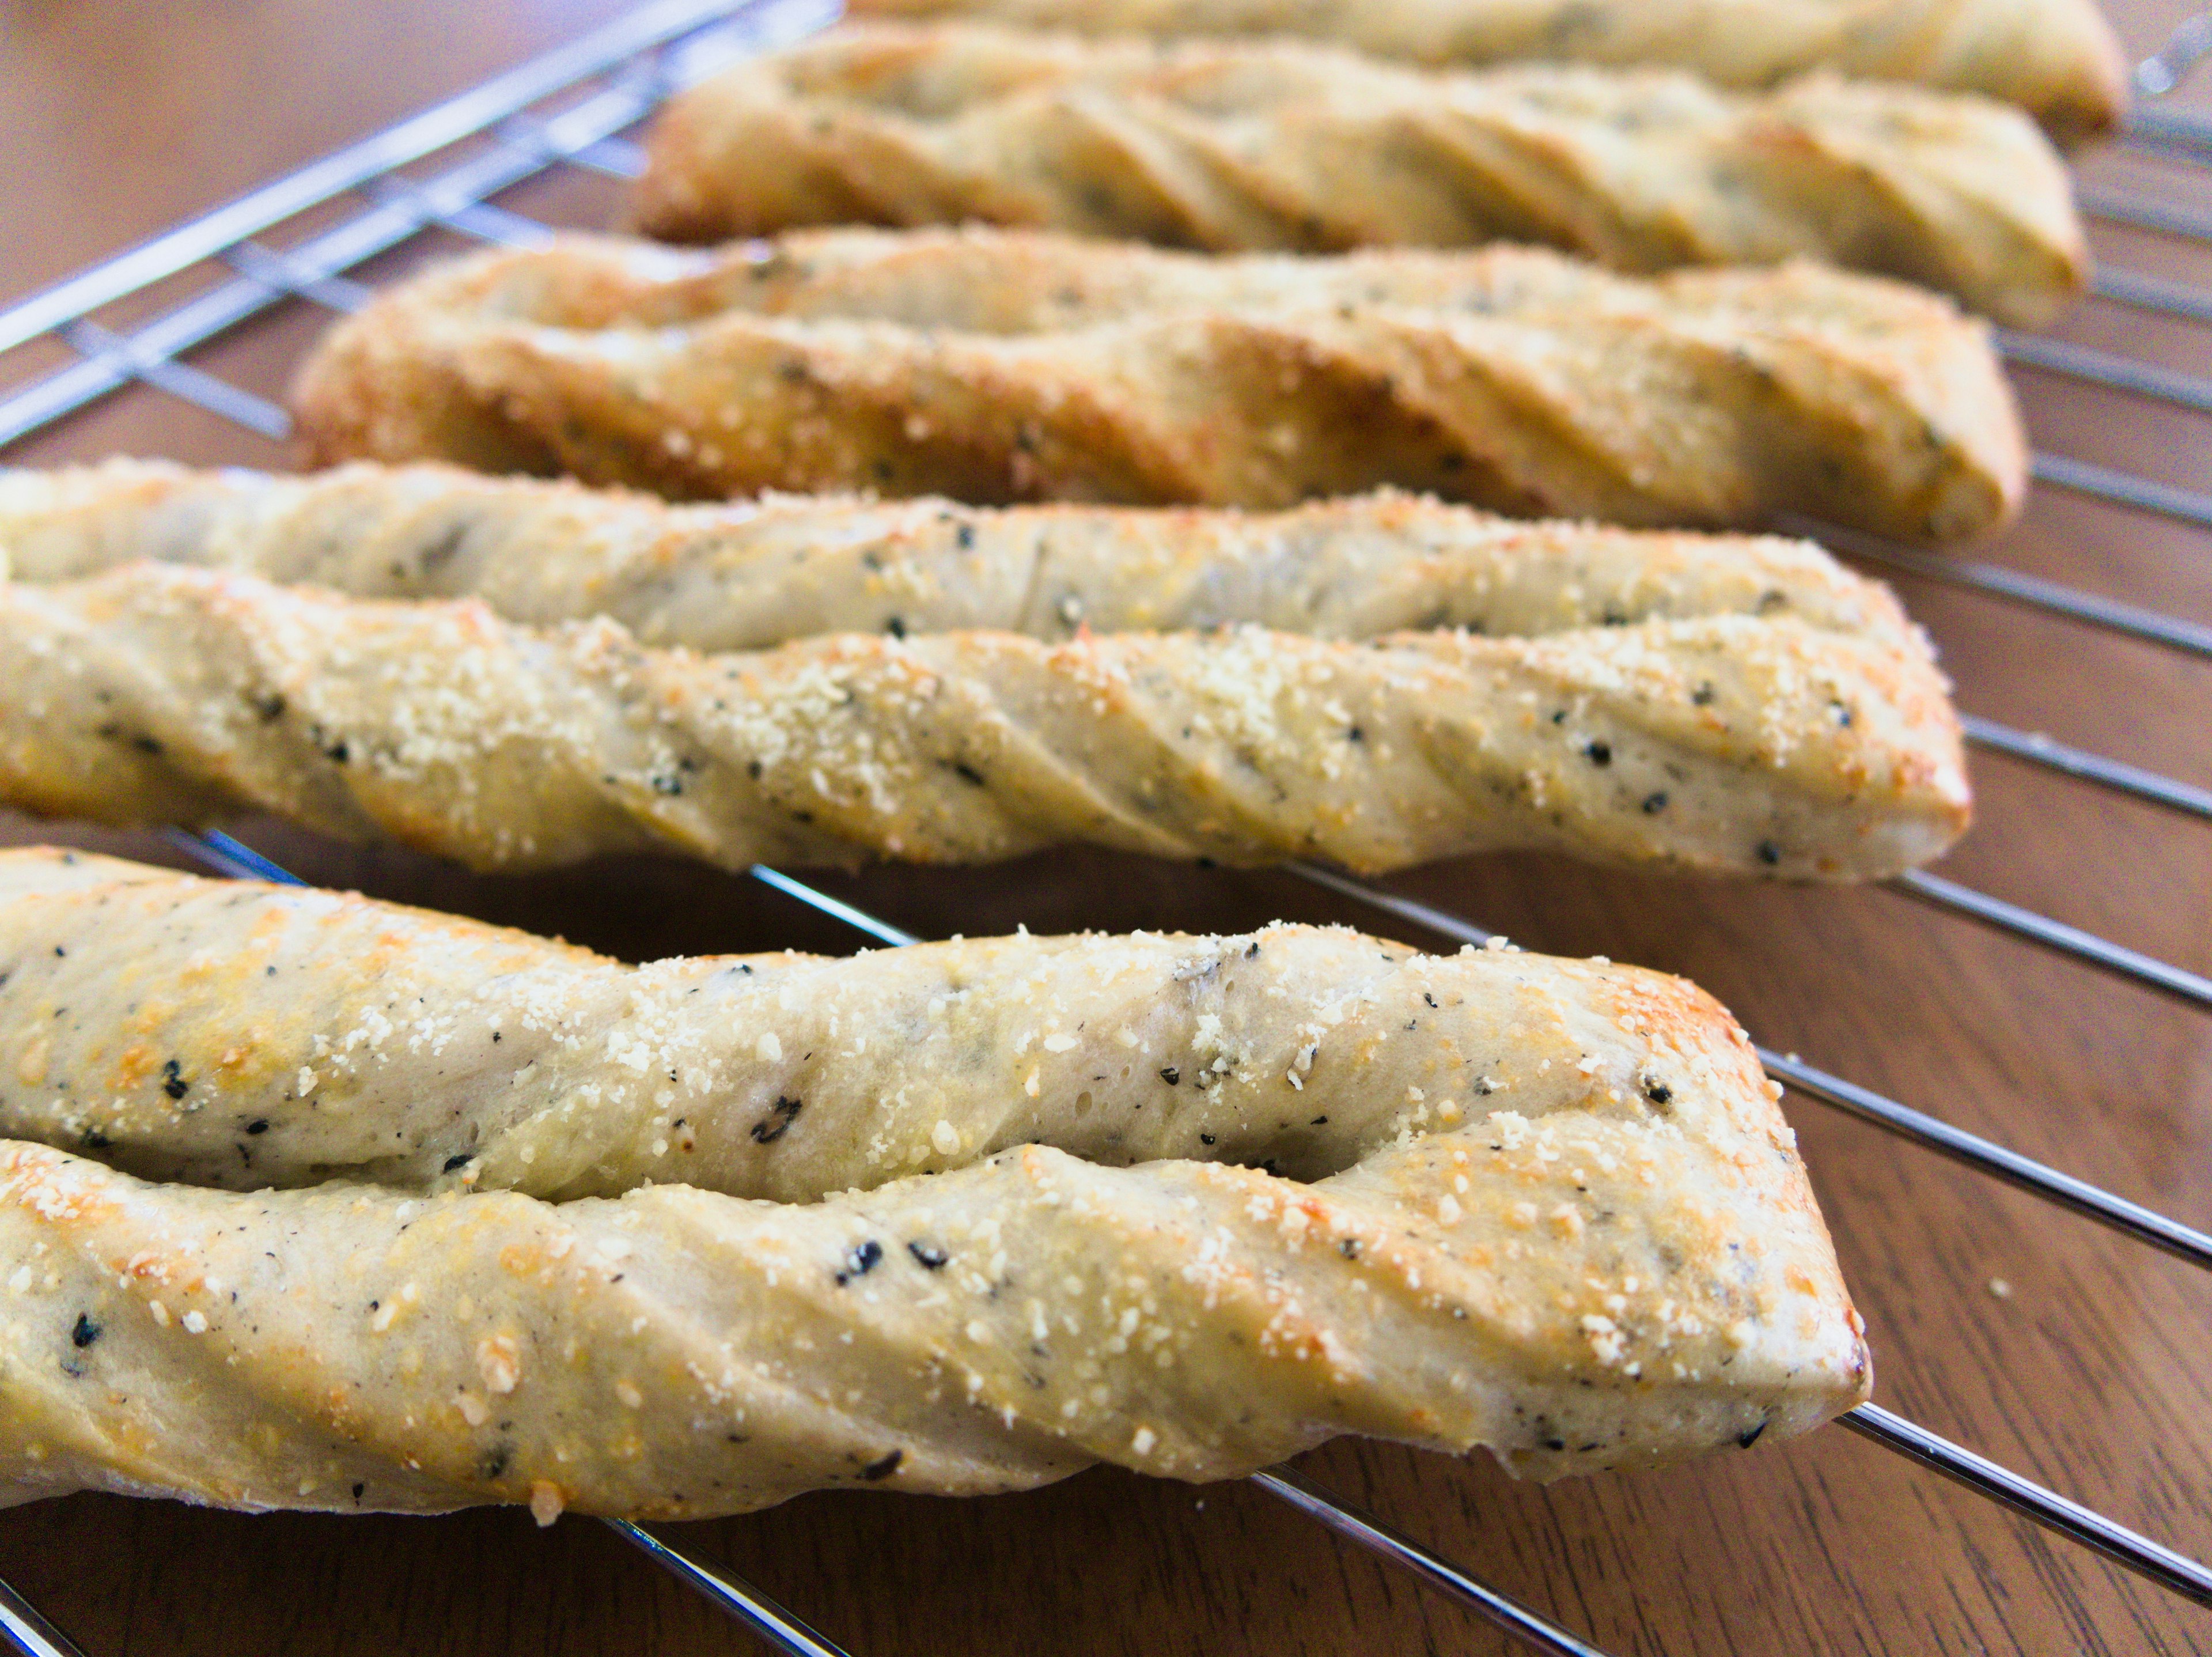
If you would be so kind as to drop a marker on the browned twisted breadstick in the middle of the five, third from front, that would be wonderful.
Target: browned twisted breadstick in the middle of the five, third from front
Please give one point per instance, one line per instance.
(1021, 366)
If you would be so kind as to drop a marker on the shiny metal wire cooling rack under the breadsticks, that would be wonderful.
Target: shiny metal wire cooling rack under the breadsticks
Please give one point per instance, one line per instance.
(632, 67)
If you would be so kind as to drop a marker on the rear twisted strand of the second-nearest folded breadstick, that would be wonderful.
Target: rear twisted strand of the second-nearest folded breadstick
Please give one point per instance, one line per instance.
(758, 574)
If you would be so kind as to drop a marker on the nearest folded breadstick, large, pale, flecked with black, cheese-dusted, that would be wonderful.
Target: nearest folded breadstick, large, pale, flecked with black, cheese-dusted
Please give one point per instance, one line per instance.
(1620, 1269)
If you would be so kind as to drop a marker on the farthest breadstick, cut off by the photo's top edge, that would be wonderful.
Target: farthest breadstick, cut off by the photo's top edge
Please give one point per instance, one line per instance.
(2058, 59)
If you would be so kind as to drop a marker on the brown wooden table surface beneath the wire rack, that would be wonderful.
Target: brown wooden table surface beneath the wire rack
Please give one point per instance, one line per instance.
(2023, 1333)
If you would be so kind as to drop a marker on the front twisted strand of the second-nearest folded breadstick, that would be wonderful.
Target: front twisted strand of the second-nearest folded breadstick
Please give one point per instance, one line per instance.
(1729, 744)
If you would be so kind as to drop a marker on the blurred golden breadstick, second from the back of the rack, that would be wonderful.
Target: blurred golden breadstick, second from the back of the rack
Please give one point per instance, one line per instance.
(1277, 145)
